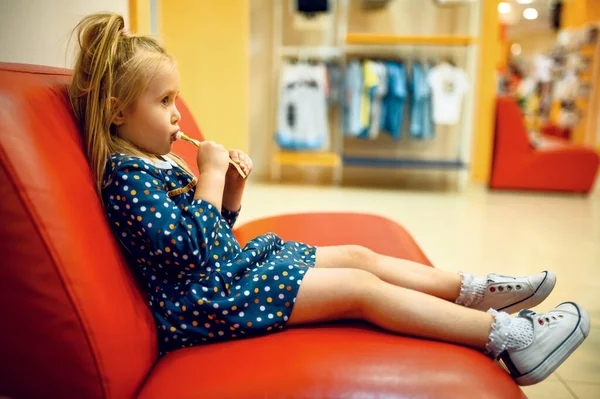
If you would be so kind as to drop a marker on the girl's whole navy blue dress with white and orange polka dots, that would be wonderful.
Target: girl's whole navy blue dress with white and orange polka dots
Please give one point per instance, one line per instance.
(201, 286)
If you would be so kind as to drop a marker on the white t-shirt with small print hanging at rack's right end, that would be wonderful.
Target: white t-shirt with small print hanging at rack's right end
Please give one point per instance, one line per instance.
(448, 86)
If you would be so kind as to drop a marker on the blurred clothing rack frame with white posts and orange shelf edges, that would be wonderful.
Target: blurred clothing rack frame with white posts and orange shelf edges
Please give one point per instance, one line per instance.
(346, 46)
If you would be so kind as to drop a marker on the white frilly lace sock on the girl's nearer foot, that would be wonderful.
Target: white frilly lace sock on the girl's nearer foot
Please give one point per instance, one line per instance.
(508, 333)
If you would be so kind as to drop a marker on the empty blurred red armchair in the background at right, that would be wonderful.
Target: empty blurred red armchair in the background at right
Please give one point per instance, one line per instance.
(518, 165)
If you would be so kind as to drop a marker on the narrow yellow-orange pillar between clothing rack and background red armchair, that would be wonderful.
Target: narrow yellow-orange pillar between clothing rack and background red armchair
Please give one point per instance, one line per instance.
(489, 57)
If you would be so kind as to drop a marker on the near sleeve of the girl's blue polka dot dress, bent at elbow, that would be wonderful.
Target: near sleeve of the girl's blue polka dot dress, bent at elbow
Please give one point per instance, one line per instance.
(143, 215)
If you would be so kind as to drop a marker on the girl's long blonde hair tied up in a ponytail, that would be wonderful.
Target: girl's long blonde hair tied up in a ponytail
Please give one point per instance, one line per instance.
(112, 69)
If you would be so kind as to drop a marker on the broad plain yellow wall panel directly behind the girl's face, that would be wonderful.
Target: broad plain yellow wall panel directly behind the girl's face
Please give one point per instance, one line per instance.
(210, 41)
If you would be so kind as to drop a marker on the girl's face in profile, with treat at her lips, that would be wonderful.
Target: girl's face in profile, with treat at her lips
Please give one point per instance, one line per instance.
(153, 120)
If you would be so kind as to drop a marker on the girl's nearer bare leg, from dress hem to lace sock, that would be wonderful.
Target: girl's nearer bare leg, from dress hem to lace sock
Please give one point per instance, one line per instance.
(343, 293)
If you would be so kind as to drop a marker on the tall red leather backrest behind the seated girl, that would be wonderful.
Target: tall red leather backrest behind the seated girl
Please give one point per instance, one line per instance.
(74, 323)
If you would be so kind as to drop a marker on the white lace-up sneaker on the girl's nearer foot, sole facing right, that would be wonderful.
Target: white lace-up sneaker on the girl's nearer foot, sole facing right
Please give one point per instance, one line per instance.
(556, 335)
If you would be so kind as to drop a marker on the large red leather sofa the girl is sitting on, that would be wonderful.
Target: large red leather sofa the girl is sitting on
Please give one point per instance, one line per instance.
(75, 325)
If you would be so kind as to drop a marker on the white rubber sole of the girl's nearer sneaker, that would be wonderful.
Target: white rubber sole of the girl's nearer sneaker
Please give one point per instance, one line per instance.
(558, 356)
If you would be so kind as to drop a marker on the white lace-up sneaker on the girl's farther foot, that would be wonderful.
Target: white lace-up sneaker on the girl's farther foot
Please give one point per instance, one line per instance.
(511, 294)
